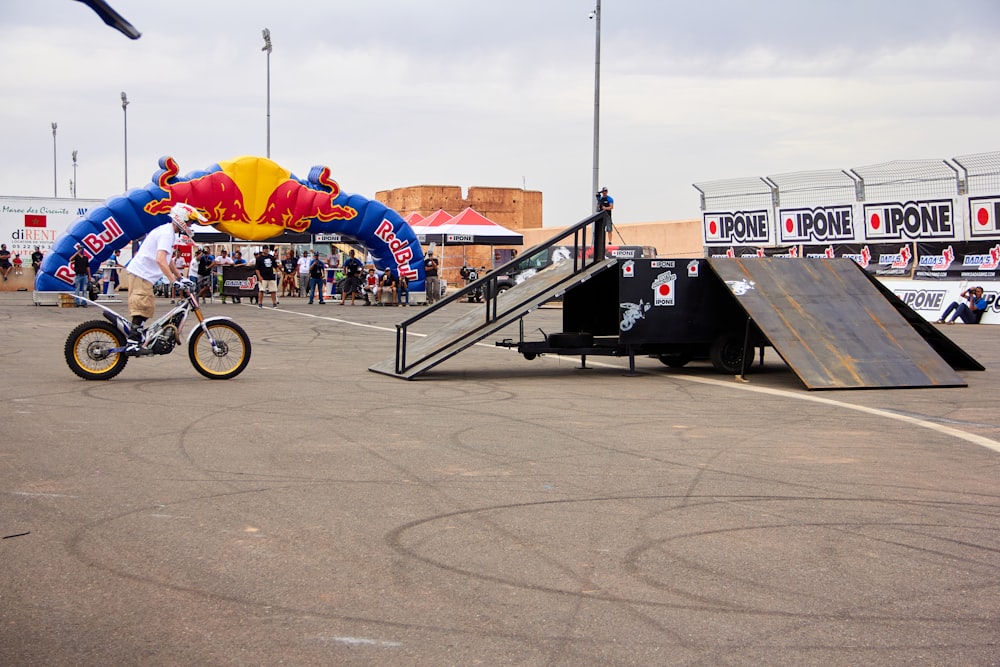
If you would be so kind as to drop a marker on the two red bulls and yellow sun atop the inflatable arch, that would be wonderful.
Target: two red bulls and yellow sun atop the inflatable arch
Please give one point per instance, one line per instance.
(252, 198)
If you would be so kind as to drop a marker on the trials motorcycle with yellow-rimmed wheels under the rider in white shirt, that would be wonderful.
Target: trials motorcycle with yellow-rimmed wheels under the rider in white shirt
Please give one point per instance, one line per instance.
(218, 348)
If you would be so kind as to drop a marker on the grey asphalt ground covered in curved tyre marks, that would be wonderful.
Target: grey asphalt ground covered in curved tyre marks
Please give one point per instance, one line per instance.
(496, 511)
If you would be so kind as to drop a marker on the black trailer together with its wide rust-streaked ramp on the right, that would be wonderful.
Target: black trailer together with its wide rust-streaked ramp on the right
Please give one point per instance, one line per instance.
(831, 322)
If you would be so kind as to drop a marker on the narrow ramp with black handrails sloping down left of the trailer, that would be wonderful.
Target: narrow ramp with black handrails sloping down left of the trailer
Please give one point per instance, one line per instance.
(416, 355)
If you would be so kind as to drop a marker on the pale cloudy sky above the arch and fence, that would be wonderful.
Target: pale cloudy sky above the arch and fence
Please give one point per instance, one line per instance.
(397, 93)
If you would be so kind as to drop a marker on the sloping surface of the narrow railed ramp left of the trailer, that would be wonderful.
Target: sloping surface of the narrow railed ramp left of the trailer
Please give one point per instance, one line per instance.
(423, 353)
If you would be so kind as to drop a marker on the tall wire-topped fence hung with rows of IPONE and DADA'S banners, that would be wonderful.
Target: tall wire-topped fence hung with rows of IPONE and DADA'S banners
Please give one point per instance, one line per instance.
(925, 219)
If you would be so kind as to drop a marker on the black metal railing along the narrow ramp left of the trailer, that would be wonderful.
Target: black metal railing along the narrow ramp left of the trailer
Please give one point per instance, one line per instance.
(574, 239)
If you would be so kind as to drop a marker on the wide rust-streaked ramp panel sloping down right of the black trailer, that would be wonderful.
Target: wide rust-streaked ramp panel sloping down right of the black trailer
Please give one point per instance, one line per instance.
(832, 327)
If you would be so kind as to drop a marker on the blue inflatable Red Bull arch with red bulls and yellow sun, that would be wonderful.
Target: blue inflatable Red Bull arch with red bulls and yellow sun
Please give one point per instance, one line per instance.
(249, 198)
